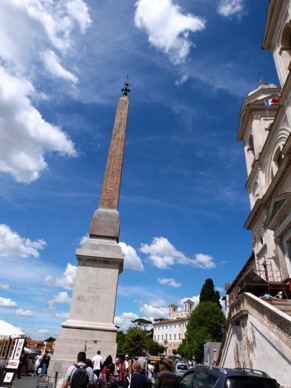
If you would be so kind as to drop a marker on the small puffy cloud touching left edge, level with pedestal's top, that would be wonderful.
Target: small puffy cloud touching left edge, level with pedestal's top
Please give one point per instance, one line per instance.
(12, 245)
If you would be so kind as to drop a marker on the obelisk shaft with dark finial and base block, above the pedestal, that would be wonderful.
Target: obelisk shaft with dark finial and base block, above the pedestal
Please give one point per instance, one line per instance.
(105, 222)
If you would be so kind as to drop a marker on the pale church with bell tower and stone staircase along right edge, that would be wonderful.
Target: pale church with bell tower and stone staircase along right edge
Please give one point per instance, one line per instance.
(258, 331)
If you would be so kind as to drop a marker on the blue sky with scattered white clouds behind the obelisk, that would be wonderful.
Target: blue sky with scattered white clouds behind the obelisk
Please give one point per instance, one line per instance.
(183, 204)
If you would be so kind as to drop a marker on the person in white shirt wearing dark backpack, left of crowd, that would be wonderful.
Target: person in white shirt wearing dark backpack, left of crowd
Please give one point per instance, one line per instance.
(79, 375)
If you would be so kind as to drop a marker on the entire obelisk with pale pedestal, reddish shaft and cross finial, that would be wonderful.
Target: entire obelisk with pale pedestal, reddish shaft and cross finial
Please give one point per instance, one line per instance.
(90, 324)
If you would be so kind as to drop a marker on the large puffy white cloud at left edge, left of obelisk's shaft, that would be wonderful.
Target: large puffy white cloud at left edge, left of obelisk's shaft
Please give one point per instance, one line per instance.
(24, 135)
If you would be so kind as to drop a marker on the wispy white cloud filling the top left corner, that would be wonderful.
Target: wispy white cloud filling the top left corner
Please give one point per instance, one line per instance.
(42, 25)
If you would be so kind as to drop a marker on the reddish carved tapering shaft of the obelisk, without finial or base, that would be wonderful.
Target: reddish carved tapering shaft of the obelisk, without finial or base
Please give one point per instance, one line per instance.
(112, 179)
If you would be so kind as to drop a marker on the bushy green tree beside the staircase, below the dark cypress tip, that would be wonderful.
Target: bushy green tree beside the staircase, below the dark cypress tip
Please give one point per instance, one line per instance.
(204, 325)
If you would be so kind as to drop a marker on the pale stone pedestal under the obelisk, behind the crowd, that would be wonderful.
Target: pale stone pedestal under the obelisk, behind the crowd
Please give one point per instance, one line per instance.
(90, 325)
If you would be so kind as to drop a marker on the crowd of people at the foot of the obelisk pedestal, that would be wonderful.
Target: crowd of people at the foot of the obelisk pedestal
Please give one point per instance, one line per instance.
(136, 373)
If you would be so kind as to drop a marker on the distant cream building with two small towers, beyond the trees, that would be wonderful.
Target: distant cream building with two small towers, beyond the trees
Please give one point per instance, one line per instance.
(170, 332)
